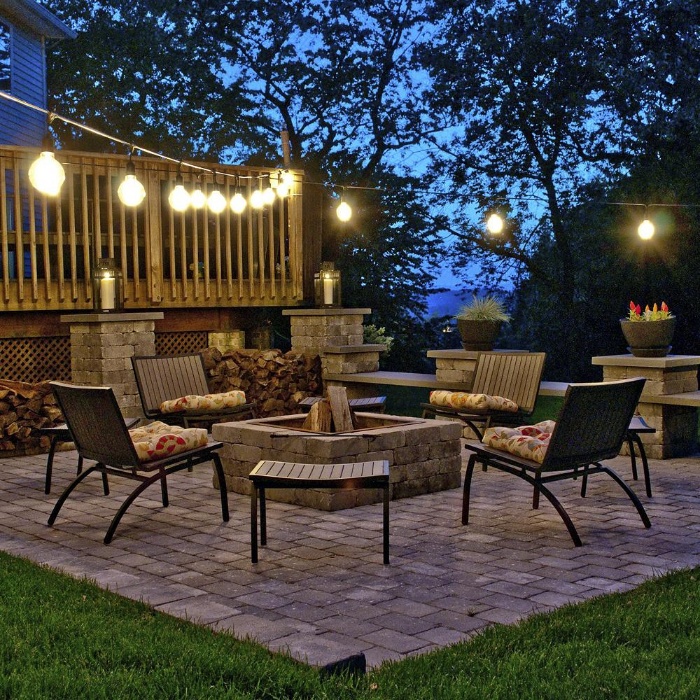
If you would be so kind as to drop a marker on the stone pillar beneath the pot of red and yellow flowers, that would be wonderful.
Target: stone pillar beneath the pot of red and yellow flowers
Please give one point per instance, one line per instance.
(676, 425)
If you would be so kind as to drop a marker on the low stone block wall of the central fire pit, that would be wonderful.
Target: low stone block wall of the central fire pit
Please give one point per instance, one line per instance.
(424, 456)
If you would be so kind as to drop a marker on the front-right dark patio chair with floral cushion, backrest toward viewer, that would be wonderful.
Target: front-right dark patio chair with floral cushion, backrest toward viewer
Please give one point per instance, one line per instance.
(591, 427)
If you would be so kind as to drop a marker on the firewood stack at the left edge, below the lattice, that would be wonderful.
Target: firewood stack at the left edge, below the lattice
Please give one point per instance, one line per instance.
(24, 409)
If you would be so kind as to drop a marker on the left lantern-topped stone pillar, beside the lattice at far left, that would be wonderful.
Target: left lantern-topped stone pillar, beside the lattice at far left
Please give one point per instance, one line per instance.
(102, 346)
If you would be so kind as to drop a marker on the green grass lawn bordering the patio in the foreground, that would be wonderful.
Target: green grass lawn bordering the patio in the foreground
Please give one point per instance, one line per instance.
(63, 638)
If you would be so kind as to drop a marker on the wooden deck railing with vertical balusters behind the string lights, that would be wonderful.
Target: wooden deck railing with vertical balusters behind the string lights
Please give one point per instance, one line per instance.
(48, 246)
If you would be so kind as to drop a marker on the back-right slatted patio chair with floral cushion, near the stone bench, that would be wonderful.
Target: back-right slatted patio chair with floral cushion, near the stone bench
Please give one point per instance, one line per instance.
(514, 376)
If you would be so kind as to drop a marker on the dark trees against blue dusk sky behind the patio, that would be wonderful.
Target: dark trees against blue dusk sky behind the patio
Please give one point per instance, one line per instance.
(548, 111)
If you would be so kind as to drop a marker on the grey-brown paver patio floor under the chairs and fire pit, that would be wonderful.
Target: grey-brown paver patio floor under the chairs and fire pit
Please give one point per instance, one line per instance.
(320, 591)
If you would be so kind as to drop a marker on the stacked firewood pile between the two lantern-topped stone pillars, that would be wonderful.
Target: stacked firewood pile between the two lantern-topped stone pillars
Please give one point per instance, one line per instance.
(275, 382)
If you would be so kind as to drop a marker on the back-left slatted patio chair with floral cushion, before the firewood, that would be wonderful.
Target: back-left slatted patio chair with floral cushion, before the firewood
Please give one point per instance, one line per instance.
(164, 379)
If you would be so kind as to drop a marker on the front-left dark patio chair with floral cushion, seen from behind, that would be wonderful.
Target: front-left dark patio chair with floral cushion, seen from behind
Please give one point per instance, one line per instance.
(100, 434)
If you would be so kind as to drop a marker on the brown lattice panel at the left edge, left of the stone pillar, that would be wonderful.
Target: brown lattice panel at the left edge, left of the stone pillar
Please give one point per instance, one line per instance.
(35, 360)
